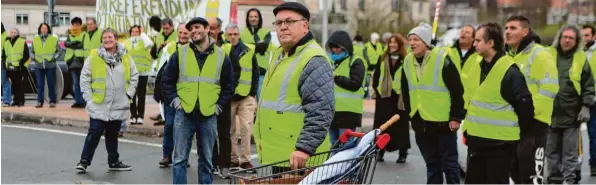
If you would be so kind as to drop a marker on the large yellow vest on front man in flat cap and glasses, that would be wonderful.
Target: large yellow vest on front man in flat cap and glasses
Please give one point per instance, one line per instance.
(280, 116)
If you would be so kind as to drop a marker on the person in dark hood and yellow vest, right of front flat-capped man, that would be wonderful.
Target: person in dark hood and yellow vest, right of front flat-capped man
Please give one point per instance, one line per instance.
(349, 75)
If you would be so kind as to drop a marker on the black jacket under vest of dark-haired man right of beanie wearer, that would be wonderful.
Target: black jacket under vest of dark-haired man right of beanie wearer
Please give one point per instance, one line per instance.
(515, 91)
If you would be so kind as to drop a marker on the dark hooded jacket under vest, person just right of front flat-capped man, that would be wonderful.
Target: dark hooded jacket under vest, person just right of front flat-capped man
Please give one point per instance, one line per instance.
(352, 83)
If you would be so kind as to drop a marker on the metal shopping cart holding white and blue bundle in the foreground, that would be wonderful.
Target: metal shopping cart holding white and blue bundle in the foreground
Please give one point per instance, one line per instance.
(351, 160)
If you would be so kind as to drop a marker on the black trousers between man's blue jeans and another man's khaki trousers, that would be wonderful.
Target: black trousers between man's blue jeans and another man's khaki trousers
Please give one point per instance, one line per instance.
(222, 149)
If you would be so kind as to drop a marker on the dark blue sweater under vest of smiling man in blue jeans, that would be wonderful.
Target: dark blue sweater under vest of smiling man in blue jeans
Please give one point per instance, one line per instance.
(171, 72)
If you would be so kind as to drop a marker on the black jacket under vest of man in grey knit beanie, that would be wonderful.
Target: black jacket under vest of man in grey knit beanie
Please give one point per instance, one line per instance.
(454, 85)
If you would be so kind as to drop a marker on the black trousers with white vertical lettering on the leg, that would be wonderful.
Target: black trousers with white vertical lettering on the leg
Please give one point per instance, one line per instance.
(528, 164)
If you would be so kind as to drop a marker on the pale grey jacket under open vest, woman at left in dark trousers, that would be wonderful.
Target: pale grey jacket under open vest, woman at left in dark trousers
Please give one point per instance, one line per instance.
(115, 105)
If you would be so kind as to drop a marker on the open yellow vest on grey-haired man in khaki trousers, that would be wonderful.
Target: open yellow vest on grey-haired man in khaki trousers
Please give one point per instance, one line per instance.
(245, 81)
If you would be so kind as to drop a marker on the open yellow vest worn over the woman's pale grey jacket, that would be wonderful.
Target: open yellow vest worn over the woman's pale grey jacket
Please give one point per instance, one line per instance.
(99, 73)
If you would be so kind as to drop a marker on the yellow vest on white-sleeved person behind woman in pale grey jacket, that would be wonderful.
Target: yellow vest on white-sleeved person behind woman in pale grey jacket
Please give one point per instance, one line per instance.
(140, 55)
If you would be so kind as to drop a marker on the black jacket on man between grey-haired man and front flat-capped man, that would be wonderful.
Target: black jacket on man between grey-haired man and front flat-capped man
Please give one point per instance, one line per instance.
(235, 54)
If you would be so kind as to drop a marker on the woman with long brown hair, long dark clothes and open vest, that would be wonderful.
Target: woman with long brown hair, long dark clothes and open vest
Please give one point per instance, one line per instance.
(388, 102)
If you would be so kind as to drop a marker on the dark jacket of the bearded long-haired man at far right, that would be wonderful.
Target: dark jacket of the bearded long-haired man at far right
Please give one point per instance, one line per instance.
(568, 101)
